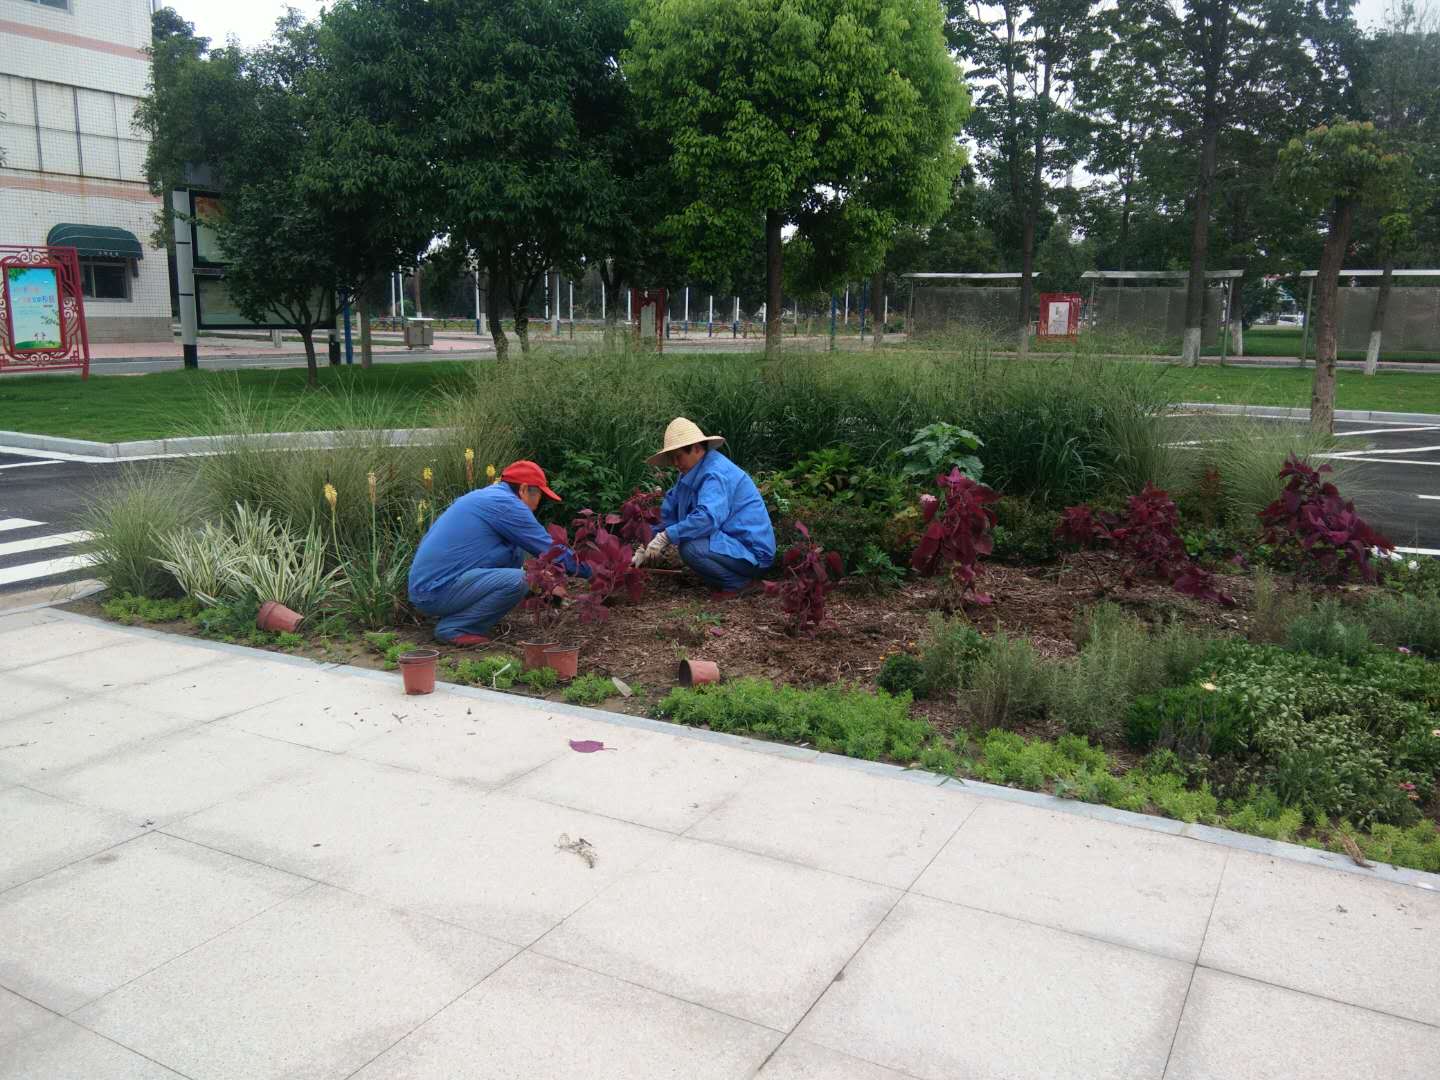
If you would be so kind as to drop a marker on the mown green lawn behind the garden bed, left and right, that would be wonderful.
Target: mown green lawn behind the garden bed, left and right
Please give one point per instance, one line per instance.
(172, 404)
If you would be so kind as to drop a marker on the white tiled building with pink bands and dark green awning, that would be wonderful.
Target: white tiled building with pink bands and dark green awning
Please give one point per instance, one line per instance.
(74, 168)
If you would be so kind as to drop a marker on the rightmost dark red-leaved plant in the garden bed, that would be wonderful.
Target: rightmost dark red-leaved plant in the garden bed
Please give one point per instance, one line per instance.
(1320, 531)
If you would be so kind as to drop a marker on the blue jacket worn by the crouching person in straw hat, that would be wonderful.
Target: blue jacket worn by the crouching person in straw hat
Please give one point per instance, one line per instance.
(719, 500)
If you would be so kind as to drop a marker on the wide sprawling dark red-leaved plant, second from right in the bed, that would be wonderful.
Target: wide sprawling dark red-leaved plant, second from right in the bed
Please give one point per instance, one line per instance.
(1148, 538)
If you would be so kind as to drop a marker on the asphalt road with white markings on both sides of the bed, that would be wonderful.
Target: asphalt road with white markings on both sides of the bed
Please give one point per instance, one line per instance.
(42, 499)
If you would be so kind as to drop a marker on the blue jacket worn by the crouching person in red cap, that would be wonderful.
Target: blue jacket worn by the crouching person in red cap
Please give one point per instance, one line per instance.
(480, 529)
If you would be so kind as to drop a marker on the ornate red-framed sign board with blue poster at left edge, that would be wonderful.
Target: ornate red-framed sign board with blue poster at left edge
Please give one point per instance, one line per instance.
(42, 310)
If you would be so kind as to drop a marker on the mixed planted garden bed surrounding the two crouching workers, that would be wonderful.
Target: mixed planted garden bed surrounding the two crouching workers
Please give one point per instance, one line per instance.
(1304, 711)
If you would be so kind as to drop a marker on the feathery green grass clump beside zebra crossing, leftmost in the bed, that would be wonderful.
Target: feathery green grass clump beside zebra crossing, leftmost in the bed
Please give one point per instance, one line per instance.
(127, 521)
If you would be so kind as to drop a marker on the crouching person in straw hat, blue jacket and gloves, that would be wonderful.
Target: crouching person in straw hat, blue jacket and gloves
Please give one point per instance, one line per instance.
(715, 515)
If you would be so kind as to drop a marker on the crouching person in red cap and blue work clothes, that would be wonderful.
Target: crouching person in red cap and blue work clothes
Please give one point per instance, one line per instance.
(467, 571)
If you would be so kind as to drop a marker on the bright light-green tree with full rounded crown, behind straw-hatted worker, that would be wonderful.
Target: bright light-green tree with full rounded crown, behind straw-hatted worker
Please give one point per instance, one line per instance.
(837, 117)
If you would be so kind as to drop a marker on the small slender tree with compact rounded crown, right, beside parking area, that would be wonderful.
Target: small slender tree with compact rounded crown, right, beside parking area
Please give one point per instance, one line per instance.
(1338, 169)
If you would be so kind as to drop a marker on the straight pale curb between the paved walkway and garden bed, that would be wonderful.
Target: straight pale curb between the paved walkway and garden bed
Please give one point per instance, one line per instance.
(1205, 834)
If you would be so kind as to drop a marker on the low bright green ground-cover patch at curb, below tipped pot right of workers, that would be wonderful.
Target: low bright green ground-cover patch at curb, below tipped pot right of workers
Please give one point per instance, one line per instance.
(836, 719)
